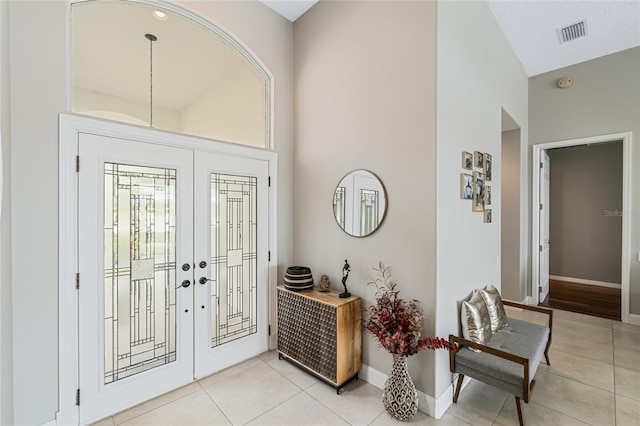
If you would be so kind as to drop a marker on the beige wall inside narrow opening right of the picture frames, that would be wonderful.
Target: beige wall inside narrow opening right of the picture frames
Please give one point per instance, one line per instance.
(512, 275)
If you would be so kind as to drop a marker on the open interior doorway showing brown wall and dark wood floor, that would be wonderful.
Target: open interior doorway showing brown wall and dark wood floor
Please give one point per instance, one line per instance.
(585, 224)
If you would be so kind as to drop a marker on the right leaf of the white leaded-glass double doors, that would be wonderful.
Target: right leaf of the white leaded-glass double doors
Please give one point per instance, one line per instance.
(231, 214)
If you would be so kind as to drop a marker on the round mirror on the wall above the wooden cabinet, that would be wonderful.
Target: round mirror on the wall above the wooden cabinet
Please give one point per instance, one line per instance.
(359, 203)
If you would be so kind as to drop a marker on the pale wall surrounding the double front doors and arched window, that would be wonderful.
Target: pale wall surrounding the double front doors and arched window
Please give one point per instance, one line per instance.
(38, 67)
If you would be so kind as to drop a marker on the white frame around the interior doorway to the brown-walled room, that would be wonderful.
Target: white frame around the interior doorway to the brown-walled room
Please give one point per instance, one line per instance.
(626, 138)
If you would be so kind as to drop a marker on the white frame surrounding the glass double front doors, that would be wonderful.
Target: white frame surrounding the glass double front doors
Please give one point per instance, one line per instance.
(70, 126)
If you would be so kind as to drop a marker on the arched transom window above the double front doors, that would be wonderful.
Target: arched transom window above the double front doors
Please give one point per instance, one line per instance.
(136, 62)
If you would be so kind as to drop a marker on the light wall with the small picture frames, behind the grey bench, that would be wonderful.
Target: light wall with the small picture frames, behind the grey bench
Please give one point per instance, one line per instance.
(478, 76)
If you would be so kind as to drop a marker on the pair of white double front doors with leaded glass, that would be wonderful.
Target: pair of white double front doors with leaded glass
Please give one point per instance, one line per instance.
(172, 255)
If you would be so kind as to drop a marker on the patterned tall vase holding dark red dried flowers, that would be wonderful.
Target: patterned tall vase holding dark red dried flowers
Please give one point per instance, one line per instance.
(397, 324)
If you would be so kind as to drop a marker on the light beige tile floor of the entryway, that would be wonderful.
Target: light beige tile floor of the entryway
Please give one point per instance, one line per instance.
(594, 379)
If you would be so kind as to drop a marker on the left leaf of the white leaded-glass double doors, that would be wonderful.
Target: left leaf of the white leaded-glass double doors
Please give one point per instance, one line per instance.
(136, 309)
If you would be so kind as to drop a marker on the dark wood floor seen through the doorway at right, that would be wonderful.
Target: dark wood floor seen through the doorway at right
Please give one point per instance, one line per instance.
(587, 299)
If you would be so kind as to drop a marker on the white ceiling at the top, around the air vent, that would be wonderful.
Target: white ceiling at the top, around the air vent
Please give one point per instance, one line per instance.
(530, 26)
